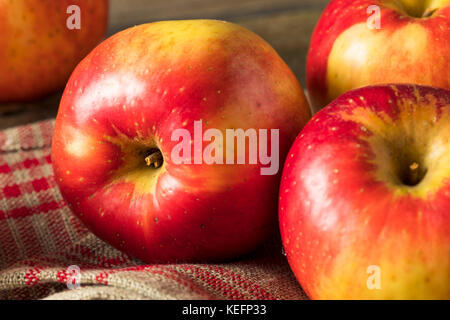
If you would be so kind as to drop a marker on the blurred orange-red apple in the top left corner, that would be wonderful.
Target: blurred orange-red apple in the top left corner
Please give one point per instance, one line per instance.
(38, 51)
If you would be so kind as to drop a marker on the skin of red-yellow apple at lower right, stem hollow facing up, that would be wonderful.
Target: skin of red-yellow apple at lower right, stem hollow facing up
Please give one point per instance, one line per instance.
(344, 204)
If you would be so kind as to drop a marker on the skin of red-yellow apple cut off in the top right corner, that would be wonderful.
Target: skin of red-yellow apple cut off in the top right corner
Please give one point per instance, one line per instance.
(346, 54)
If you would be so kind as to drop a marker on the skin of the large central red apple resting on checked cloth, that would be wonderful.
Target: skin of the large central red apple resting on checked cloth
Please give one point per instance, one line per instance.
(130, 94)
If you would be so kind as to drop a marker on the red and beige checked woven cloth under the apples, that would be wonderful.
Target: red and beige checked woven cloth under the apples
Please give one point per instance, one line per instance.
(40, 239)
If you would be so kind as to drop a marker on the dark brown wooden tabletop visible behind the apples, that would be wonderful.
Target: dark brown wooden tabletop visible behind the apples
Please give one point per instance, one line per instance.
(286, 24)
